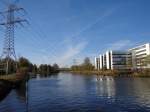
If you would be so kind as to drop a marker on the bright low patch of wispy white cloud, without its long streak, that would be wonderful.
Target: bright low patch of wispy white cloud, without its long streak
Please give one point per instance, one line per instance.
(65, 54)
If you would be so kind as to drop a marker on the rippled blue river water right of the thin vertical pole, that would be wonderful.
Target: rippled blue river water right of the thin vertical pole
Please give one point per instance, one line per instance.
(81, 93)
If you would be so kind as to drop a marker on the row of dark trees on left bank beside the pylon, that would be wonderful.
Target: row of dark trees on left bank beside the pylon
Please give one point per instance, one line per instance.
(26, 65)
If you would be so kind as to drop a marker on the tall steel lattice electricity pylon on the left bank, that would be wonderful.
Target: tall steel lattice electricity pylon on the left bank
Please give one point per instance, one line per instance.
(9, 23)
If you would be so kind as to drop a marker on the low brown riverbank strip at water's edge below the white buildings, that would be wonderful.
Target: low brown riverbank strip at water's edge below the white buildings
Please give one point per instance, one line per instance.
(115, 73)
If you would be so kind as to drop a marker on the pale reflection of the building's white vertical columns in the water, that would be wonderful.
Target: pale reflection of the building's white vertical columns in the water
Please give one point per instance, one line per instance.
(105, 86)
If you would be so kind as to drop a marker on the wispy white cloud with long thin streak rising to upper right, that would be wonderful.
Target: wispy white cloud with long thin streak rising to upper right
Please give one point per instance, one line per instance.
(75, 49)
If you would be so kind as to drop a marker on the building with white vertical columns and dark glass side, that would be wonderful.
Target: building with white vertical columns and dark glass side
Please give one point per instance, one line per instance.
(115, 60)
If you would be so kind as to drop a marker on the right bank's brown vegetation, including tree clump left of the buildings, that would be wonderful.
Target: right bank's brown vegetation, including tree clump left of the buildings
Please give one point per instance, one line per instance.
(87, 68)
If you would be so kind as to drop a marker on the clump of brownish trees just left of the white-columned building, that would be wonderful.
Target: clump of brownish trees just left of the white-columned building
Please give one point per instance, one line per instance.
(85, 66)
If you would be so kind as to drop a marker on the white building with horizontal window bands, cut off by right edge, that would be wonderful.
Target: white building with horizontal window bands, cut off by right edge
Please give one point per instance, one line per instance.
(139, 55)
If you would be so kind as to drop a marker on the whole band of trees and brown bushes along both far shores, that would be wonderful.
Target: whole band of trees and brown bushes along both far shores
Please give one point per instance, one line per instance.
(25, 67)
